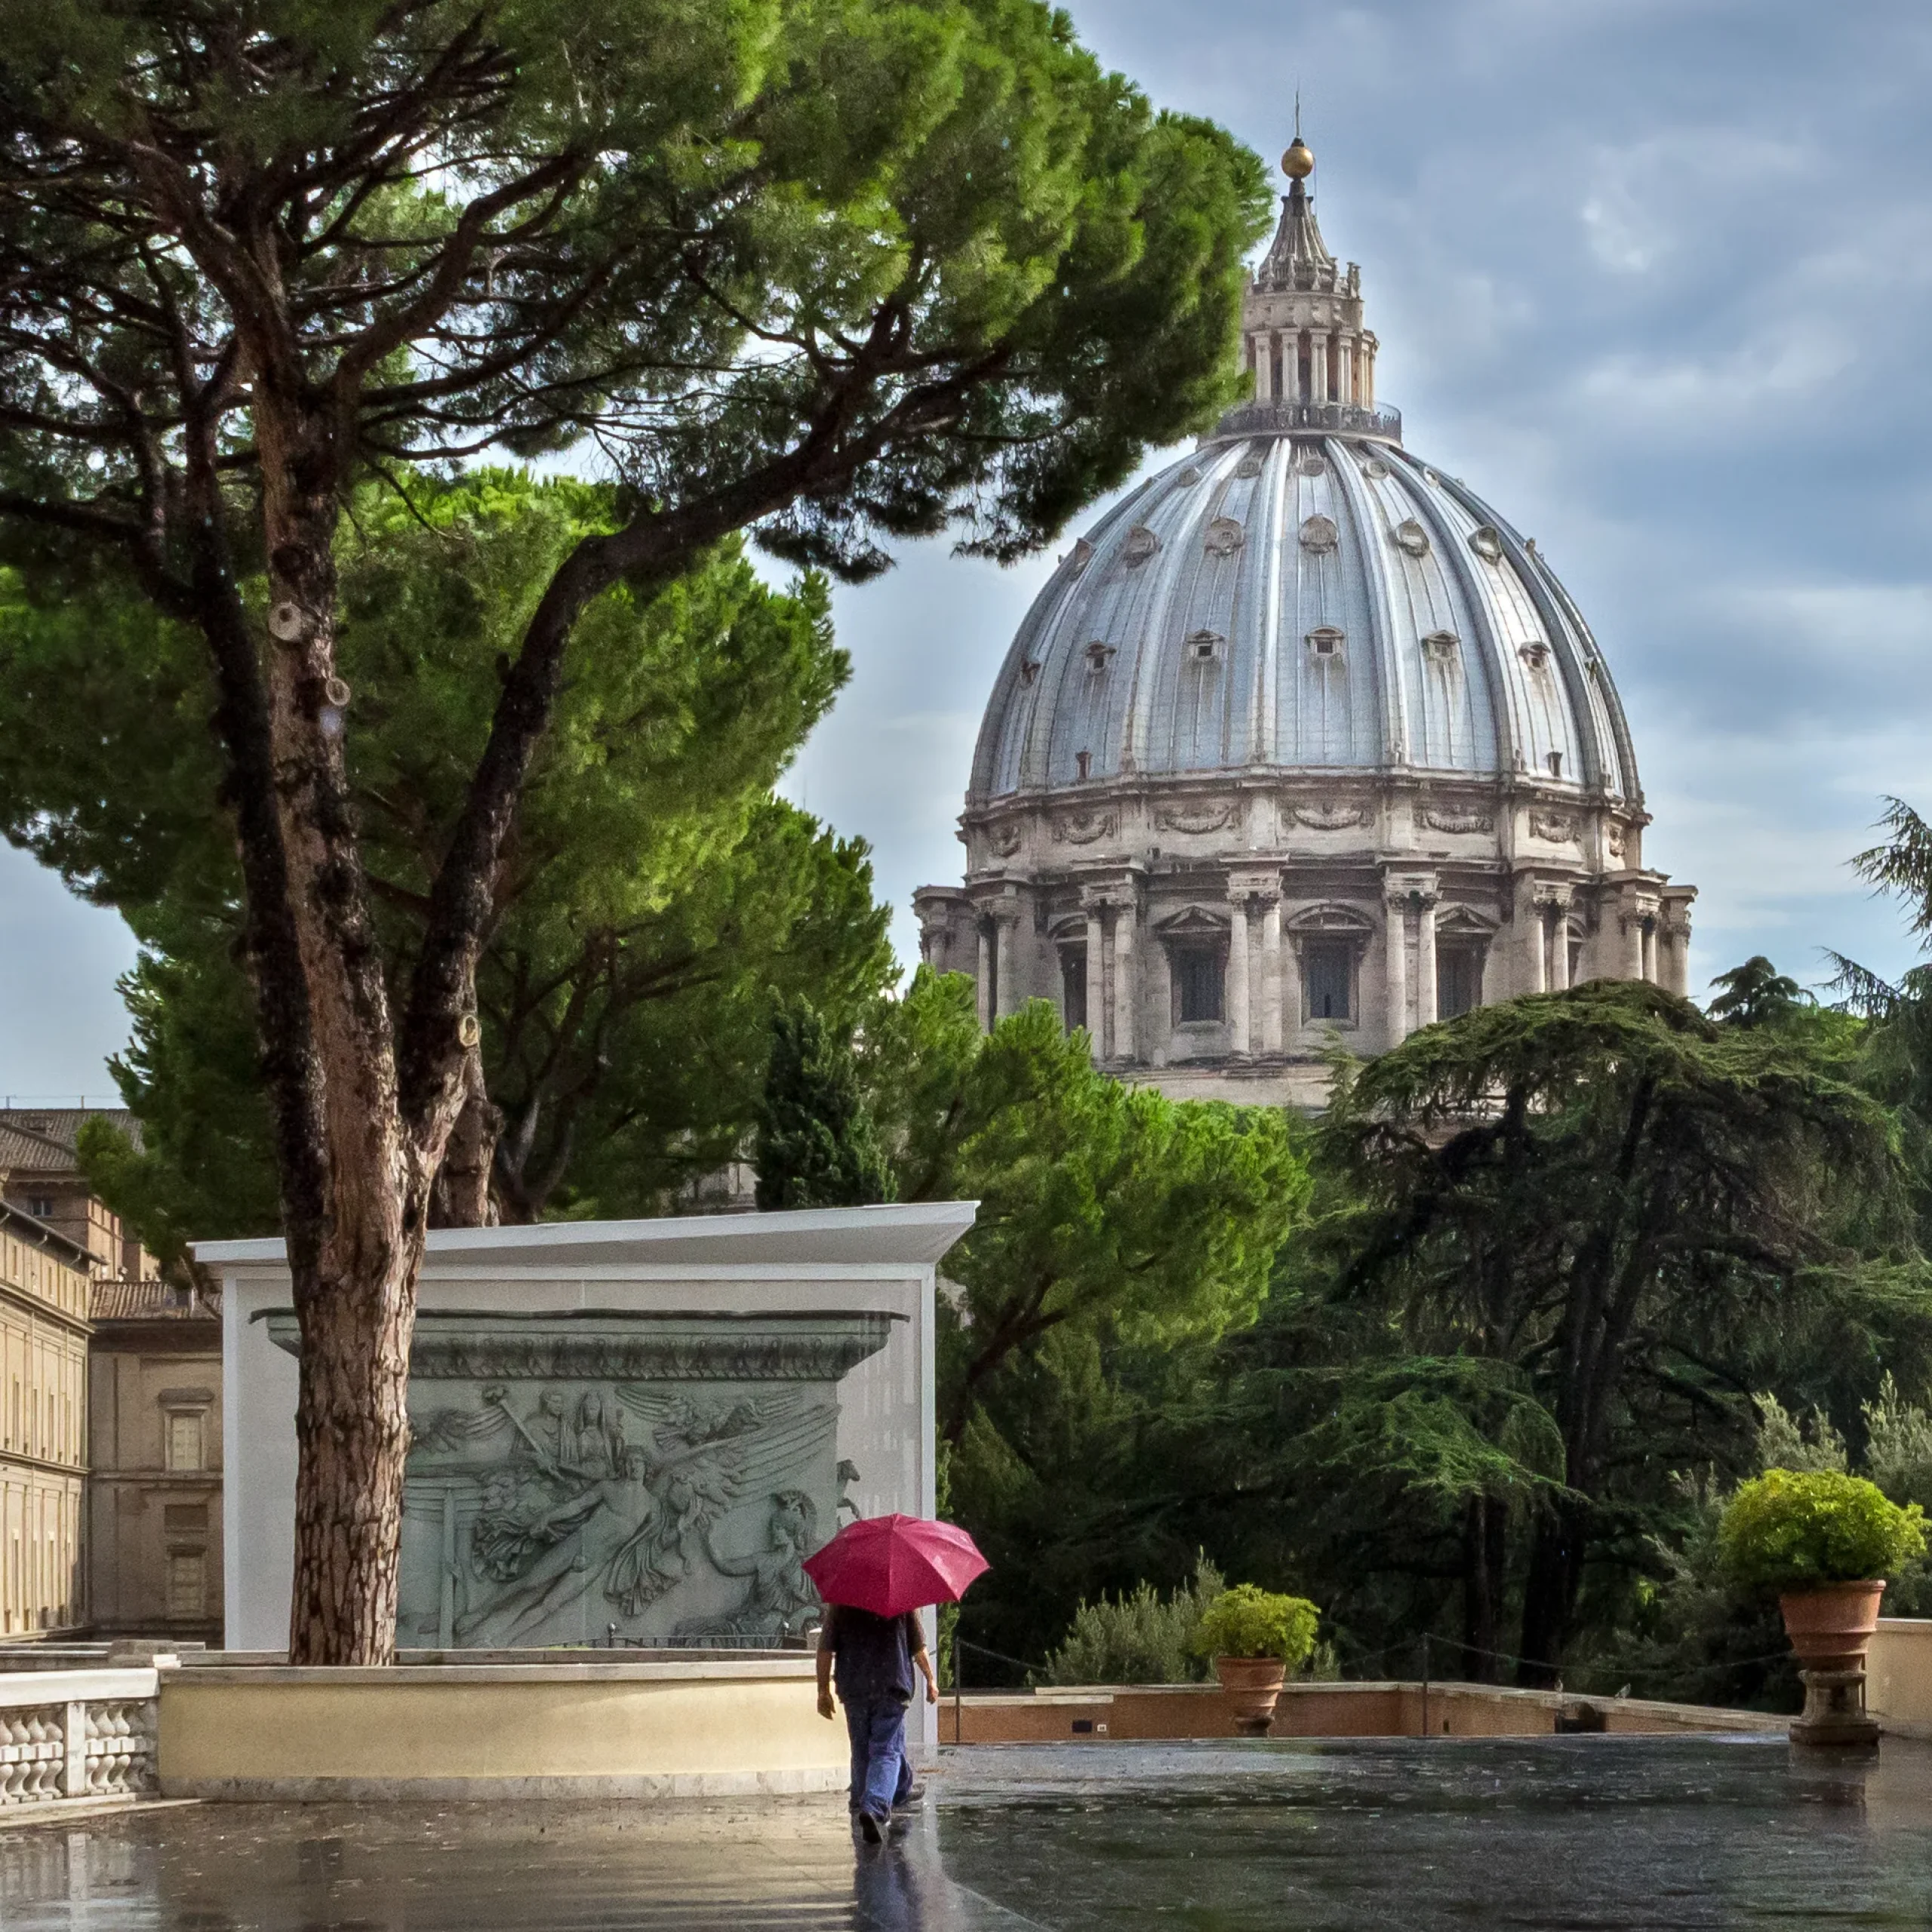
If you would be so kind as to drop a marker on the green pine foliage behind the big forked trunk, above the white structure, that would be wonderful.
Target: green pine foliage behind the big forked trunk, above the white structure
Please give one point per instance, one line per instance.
(656, 897)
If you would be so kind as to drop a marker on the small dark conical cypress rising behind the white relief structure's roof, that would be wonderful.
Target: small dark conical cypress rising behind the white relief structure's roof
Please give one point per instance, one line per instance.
(816, 1139)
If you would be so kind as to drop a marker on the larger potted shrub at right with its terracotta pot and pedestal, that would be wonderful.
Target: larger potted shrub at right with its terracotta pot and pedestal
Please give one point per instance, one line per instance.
(1825, 1545)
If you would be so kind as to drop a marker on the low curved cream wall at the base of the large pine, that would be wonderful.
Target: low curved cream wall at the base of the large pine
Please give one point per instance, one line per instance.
(689, 1728)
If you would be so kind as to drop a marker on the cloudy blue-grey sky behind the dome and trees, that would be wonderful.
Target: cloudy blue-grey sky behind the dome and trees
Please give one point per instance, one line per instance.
(1651, 275)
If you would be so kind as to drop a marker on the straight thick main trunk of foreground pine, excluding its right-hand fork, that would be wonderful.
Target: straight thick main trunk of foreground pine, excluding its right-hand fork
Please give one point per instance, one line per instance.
(355, 1255)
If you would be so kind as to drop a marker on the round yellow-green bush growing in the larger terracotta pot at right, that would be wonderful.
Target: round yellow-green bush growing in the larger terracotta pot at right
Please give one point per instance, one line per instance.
(1802, 1529)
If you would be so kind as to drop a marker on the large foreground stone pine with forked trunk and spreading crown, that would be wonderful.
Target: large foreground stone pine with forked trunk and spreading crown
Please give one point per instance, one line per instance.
(839, 273)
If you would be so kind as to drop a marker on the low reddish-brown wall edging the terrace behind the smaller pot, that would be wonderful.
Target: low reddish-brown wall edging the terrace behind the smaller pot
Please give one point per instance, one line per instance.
(1317, 1711)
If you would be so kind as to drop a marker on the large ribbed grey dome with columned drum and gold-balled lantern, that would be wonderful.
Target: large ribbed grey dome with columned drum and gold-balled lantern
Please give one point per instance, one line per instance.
(1301, 741)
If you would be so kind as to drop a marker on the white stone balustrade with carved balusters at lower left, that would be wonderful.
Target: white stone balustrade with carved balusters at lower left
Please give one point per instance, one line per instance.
(76, 1736)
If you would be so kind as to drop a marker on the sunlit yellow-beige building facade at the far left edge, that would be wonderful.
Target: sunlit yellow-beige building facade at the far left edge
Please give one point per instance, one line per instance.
(43, 1427)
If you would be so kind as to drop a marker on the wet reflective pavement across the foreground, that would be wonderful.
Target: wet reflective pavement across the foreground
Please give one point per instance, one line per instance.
(1577, 1833)
